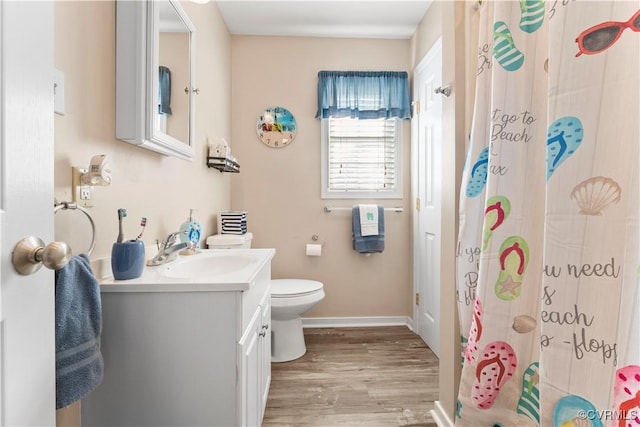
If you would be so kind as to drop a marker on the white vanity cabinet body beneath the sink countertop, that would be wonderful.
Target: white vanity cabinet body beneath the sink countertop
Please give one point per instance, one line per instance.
(184, 354)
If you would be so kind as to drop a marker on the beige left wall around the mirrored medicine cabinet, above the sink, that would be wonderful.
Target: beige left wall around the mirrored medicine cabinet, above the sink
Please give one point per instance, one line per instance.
(145, 183)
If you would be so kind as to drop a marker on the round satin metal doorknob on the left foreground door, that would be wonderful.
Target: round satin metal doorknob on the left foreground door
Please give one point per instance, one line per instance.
(30, 254)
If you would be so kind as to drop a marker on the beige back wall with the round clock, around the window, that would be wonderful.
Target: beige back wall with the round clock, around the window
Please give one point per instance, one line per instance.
(280, 188)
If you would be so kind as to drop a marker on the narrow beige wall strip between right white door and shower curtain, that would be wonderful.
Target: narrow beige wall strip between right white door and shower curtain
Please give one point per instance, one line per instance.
(454, 21)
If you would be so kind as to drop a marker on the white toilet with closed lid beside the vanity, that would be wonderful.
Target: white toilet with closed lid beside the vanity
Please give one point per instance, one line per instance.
(290, 299)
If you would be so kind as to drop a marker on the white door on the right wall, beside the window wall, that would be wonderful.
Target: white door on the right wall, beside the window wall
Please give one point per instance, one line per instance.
(427, 179)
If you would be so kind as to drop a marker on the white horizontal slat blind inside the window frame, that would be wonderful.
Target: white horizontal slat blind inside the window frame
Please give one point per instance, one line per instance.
(362, 155)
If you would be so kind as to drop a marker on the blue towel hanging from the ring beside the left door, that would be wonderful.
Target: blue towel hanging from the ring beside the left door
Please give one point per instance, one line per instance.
(79, 364)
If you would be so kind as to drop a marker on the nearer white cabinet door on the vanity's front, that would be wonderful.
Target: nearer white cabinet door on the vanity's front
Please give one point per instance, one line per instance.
(249, 366)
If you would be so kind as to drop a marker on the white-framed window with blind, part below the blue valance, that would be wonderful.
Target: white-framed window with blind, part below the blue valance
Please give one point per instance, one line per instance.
(361, 158)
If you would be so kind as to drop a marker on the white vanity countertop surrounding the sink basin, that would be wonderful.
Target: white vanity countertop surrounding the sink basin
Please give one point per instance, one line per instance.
(153, 279)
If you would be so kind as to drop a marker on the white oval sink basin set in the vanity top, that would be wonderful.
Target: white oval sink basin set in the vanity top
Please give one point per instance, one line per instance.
(207, 265)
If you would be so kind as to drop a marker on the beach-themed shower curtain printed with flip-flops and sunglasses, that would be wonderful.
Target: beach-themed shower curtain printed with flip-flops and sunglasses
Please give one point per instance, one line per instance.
(548, 260)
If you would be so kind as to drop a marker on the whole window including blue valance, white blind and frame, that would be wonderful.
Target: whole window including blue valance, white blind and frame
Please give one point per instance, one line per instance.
(361, 113)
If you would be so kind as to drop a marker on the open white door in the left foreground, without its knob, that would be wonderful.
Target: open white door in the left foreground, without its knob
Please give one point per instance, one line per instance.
(26, 209)
